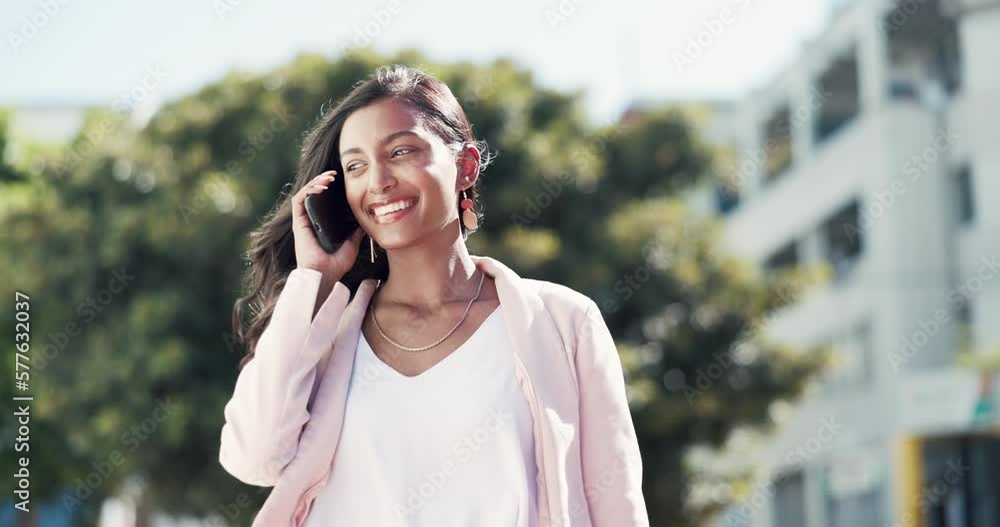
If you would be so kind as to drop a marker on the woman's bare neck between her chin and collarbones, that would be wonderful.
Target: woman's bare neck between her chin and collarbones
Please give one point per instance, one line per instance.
(431, 274)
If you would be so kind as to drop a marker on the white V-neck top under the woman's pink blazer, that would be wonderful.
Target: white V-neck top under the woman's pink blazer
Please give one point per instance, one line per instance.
(449, 447)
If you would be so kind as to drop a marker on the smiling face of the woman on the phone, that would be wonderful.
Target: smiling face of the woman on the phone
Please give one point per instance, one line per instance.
(389, 158)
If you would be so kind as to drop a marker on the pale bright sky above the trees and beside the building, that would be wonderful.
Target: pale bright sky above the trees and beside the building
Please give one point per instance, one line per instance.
(92, 52)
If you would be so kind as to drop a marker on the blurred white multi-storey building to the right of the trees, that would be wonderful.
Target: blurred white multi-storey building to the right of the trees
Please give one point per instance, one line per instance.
(878, 151)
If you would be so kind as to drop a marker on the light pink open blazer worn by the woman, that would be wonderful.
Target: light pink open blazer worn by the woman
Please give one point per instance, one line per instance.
(283, 421)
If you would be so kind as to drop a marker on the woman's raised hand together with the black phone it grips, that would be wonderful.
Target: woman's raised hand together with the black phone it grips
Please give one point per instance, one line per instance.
(324, 241)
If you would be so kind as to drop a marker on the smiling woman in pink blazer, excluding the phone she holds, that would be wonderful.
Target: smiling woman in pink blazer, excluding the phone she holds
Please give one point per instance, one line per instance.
(449, 391)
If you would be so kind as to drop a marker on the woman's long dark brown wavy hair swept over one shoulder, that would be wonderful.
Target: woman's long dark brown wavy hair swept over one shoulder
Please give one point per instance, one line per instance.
(272, 252)
